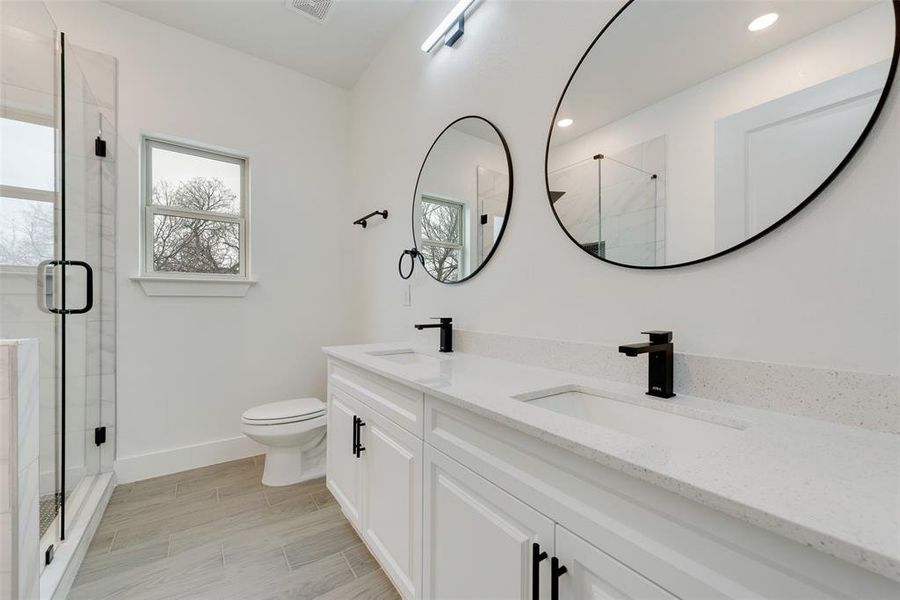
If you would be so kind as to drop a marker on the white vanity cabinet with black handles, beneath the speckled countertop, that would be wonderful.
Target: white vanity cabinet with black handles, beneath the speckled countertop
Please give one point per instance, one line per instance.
(451, 504)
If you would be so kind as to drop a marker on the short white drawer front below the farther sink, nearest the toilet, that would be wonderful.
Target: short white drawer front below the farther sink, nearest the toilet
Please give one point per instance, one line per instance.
(400, 404)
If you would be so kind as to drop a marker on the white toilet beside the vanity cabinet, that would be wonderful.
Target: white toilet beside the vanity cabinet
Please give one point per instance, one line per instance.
(293, 432)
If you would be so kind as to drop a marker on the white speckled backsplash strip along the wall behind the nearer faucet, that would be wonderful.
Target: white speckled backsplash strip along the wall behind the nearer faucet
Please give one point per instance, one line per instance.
(867, 400)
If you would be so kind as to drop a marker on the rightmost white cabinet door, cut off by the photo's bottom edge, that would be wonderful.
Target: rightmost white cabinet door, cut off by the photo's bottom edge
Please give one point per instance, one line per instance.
(591, 574)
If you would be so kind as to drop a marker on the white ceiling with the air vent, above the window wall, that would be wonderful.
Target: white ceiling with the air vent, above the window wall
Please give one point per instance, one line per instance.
(337, 51)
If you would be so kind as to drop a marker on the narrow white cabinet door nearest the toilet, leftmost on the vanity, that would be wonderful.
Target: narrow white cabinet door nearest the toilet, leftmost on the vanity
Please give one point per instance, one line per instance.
(344, 468)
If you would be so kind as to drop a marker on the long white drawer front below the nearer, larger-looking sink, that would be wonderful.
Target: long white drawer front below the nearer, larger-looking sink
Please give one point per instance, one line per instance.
(687, 549)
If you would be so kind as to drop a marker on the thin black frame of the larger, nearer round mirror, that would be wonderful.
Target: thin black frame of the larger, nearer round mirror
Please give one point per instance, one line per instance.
(840, 167)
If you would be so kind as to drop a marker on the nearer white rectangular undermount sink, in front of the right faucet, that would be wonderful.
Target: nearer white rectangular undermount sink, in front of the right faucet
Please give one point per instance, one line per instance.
(653, 420)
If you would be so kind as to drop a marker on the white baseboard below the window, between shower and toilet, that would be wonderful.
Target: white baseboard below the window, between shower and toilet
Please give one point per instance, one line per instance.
(164, 462)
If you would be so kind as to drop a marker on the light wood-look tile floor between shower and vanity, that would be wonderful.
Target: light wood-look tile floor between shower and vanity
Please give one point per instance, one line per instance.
(218, 533)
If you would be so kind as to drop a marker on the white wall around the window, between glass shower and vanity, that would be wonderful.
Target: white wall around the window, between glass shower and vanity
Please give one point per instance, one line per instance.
(188, 367)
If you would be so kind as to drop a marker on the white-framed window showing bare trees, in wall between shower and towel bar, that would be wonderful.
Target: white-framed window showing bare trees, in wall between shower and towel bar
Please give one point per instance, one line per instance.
(195, 212)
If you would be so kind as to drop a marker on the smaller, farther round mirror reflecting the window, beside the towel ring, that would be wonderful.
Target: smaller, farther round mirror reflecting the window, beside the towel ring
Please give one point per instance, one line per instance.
(462, 199)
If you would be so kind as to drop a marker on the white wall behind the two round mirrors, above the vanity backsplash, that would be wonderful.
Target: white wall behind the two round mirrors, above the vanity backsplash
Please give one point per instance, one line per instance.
(820, 291)
